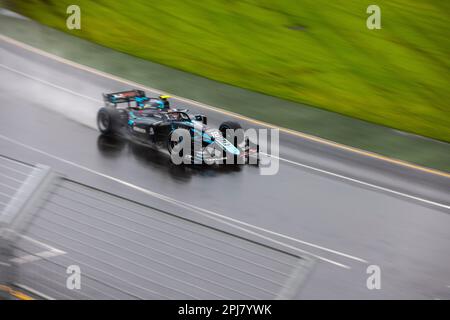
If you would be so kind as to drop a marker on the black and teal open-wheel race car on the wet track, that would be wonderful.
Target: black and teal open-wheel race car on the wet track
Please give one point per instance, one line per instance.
(152, 121)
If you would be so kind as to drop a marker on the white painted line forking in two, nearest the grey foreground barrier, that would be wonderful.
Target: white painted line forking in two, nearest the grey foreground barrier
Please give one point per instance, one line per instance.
(208, 213)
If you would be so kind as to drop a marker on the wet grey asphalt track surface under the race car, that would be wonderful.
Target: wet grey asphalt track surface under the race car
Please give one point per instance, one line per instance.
(348, 223)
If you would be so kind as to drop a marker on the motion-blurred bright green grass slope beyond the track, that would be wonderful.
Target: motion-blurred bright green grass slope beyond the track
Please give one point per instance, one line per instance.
(398, 76)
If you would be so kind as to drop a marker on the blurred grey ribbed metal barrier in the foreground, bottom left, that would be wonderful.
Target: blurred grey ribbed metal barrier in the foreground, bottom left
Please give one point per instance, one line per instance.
(128, 250)
